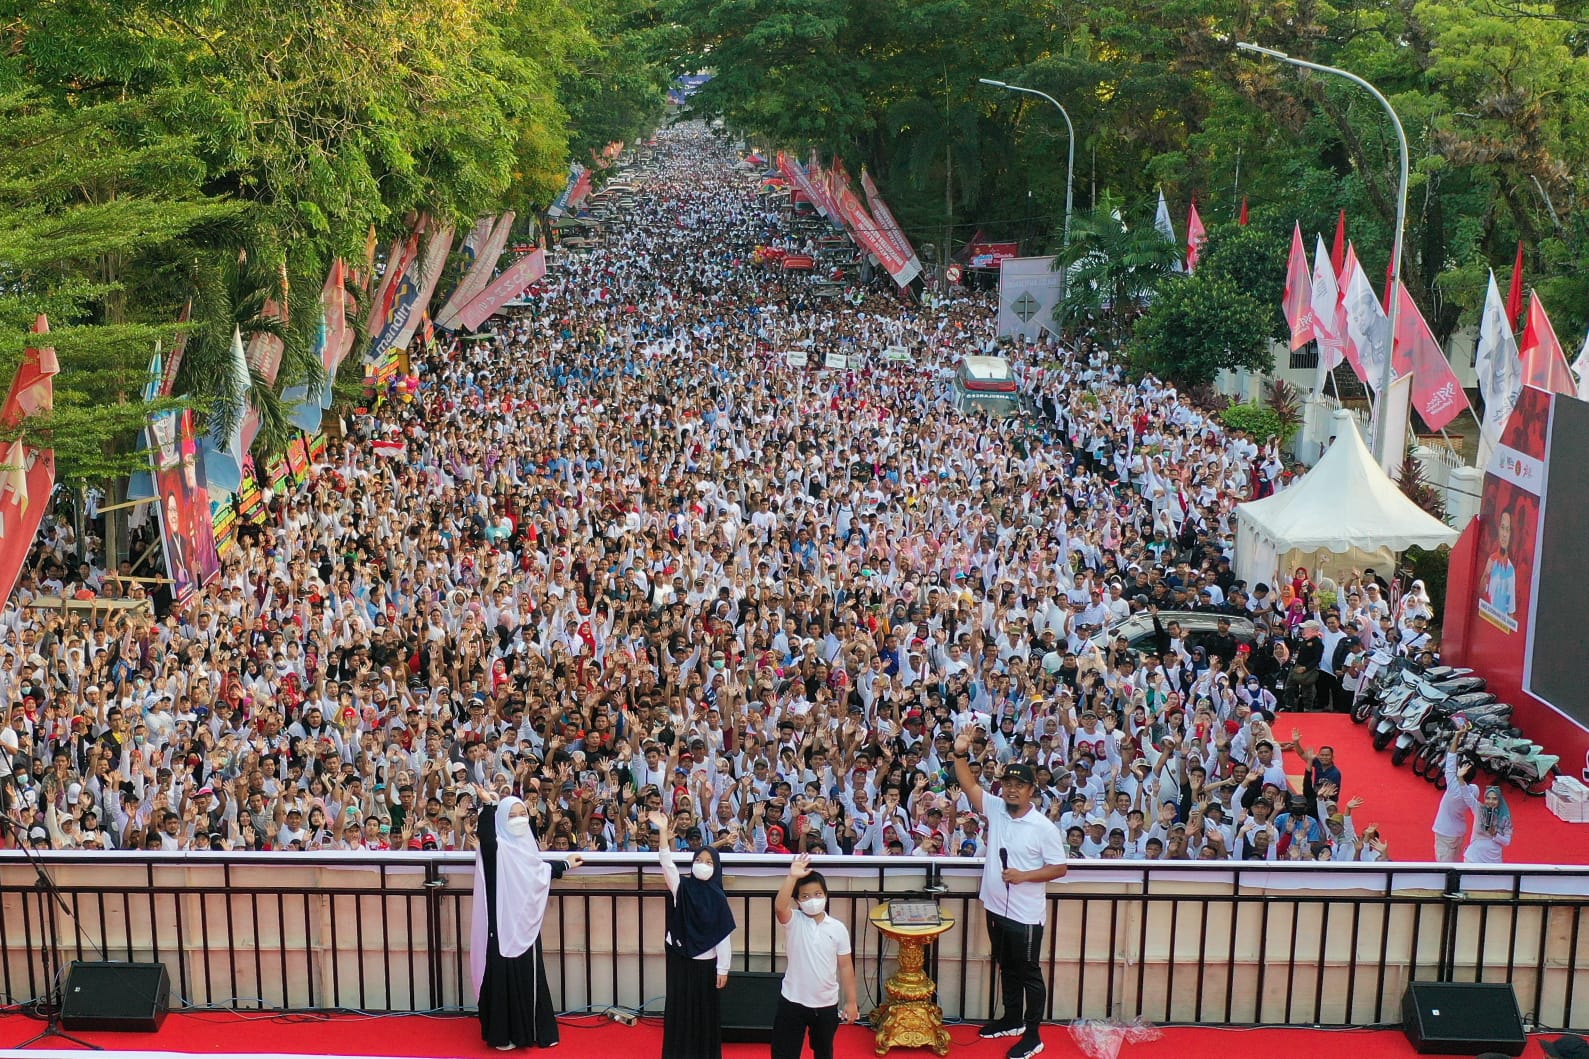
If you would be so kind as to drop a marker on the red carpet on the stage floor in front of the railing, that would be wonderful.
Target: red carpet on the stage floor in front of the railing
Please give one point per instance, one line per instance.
(460, 1038)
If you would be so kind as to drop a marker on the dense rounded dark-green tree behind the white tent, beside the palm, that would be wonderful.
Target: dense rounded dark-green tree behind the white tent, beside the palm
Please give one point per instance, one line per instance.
(1199, 327)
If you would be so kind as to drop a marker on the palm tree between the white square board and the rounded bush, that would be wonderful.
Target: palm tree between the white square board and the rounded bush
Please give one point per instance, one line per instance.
(1113, 268)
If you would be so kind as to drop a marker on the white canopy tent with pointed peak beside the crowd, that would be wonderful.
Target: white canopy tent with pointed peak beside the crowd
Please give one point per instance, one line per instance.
(1345, 514)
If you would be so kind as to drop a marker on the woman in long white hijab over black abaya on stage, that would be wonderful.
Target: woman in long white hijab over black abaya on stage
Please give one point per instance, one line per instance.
(512, 885)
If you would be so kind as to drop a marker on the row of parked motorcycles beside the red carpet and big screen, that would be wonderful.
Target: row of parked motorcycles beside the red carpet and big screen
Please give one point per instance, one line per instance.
(1420, 710)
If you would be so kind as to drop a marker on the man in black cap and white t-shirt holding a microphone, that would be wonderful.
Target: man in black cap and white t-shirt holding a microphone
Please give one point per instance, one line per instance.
(1026, 853)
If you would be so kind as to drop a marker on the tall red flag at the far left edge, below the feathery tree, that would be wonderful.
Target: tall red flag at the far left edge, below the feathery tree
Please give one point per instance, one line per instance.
(28, 473)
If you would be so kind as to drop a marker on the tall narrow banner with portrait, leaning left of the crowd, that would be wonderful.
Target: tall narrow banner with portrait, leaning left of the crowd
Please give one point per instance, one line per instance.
(187, 522)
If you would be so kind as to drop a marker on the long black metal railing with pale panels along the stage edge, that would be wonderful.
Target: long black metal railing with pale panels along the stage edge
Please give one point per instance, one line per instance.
(1199, 942)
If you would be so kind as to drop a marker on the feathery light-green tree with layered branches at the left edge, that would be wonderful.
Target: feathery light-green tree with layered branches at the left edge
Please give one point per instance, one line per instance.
(82, 209)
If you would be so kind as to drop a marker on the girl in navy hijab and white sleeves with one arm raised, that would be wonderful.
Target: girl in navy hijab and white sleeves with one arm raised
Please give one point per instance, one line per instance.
(700, 926)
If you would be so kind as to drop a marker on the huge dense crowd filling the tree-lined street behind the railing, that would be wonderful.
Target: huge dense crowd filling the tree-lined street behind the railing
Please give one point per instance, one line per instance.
(622, 557)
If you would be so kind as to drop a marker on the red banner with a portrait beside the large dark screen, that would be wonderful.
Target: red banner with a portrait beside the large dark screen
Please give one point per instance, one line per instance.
(1510, 518)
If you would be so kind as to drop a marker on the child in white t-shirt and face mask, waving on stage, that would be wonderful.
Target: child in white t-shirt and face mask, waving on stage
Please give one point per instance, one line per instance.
(821, 968)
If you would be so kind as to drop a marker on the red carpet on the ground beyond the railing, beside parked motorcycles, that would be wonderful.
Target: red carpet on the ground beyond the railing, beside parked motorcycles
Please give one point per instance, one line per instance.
(1404, 805)
